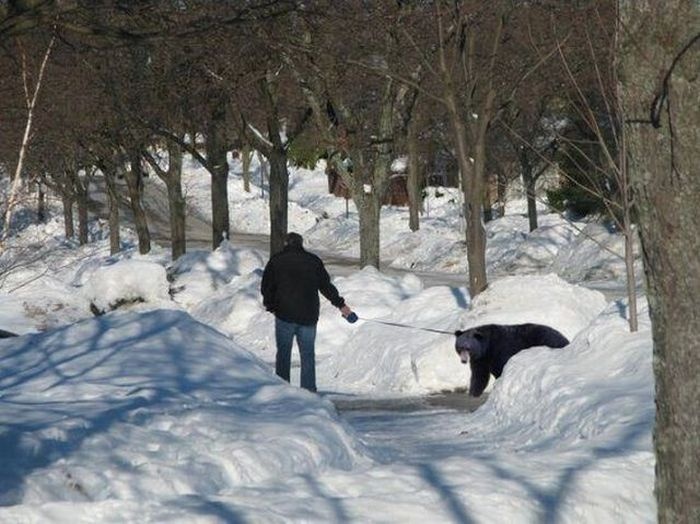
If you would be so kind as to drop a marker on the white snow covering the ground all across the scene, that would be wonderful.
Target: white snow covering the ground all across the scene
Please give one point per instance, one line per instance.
(168, 409)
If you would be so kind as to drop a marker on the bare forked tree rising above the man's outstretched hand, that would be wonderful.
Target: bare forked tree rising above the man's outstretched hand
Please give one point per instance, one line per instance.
(360, 111)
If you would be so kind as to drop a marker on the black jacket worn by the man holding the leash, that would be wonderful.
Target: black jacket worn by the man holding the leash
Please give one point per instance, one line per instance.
(290, 286)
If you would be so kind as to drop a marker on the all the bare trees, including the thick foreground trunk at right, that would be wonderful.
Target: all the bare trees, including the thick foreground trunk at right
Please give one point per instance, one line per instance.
(119, 86)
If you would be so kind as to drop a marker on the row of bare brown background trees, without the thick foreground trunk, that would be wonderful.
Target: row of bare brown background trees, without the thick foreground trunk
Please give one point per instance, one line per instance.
(362, 82)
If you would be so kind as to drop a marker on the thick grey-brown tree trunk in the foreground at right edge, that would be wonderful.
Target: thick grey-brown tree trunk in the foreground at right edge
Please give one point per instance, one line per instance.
(664, 160)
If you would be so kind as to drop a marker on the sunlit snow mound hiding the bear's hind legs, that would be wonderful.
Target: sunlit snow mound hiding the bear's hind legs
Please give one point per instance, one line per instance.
(574, 394)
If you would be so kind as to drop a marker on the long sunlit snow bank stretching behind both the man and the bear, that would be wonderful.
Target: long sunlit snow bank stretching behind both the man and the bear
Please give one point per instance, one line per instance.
(371, 357)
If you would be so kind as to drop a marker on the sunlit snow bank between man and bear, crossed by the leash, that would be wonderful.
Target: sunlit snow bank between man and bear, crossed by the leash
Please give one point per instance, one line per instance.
(387, 360)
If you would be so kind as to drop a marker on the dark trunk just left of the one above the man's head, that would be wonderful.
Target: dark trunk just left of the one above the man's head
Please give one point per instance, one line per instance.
(216, 158)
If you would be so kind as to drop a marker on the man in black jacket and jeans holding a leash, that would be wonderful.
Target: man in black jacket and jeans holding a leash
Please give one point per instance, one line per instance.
(290, 286)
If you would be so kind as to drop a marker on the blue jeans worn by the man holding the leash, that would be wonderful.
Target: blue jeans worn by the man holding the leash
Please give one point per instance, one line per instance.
(306, 340)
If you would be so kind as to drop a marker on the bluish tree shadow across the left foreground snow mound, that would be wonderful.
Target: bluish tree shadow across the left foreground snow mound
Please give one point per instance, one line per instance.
(37, 431)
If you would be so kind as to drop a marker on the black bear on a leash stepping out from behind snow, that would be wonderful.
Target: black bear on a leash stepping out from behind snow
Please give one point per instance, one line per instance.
(487, 348)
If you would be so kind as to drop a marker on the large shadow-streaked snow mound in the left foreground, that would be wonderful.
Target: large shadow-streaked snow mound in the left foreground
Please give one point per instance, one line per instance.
(152, 406)
